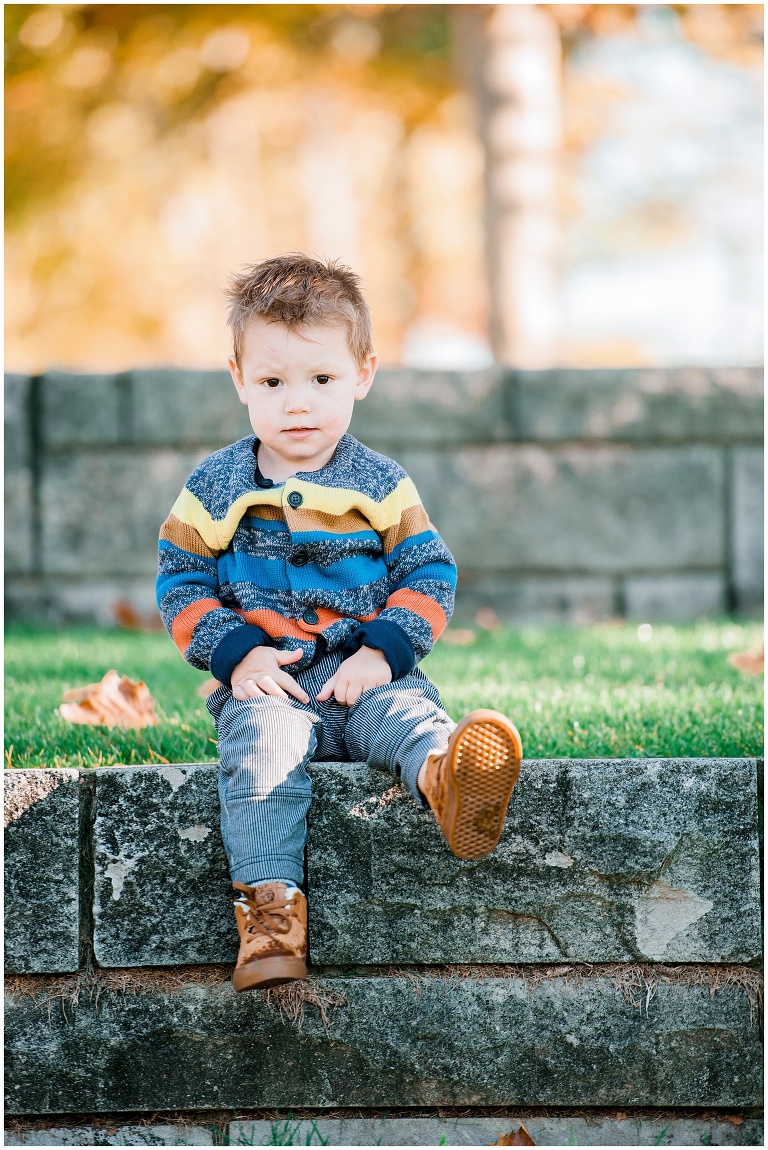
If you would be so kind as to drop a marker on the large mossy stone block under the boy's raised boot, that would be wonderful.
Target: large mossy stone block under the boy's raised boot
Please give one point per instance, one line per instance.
(600, 861)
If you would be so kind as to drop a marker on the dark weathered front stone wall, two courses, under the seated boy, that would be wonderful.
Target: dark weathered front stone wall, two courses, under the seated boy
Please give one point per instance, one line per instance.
(606, 956)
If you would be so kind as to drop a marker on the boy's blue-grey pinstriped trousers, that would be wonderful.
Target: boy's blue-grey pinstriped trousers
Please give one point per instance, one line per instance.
(265, 746)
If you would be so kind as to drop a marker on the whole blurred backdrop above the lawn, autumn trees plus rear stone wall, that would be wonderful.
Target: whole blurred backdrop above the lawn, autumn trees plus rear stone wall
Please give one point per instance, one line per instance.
(557, 214)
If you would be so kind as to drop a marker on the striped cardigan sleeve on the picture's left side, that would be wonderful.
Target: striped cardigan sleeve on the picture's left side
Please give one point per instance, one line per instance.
(210, 637)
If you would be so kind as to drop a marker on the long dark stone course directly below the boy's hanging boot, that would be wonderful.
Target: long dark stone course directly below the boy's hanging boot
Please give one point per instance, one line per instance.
(389, 1041)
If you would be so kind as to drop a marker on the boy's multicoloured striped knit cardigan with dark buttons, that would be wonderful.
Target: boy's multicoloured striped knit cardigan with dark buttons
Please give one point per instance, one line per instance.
(328, 561)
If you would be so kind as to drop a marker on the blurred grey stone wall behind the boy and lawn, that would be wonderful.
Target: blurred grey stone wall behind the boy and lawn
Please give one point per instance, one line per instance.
(565, 496)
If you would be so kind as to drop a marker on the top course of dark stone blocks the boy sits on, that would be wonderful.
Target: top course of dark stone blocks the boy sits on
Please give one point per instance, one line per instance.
(601, 861)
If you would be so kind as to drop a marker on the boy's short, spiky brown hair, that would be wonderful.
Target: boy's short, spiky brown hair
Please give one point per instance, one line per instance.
(297, 290)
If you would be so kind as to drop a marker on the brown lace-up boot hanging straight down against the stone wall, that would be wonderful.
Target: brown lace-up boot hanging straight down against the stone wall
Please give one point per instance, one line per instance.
(273, 936)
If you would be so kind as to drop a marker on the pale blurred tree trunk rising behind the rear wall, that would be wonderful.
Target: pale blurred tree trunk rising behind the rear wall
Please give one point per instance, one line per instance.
(511, 57)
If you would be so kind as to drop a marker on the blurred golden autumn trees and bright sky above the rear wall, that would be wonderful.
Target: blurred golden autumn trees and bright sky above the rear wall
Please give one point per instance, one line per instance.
(539, 186)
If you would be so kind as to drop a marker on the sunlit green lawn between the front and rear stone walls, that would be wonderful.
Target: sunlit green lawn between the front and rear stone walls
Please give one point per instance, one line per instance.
(593, 693)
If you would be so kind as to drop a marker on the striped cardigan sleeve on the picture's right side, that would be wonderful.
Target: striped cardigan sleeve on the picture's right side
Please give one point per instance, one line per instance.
(423, 582)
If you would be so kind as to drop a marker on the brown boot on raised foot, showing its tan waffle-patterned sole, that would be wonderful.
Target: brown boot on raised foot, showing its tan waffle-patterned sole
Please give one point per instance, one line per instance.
(469, 786)
